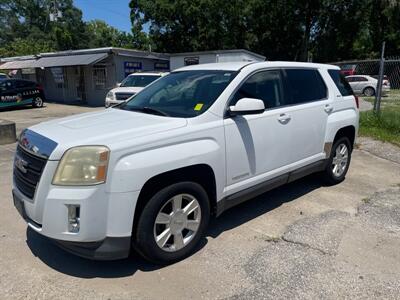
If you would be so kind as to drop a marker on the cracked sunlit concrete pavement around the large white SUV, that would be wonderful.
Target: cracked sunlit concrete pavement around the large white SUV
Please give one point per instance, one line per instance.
(304, 240)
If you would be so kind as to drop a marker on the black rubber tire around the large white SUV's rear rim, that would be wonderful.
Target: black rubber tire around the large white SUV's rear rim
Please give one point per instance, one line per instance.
(329, 175)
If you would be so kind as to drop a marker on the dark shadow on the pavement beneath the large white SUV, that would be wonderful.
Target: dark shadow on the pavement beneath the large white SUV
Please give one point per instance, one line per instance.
(72, 265)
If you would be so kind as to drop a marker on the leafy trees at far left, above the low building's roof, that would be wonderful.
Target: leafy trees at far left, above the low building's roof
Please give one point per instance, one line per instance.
(29, 20)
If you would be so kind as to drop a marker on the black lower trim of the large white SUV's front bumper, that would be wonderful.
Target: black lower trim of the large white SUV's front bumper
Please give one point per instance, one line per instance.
(109, 248)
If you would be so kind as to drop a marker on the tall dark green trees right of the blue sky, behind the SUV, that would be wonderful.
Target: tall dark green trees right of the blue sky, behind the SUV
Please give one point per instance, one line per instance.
(327, 30)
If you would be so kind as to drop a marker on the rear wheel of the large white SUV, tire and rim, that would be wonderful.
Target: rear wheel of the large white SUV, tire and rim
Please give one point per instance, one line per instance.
(339, 161)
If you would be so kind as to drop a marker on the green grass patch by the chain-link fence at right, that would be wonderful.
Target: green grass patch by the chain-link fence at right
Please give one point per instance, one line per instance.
(386, 126)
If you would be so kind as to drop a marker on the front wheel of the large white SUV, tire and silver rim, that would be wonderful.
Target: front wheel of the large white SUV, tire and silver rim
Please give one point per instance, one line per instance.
(172, 223)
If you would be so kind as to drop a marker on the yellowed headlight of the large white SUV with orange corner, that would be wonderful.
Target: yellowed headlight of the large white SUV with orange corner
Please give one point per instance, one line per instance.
(86, 165)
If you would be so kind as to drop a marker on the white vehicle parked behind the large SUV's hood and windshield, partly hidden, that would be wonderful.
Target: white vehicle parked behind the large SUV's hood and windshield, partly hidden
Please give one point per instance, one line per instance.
(130, 86)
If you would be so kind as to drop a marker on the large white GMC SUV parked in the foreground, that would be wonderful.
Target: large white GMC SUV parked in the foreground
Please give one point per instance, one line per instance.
(149, 174)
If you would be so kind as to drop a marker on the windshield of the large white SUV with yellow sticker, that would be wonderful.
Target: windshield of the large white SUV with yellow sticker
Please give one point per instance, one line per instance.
(181, 94)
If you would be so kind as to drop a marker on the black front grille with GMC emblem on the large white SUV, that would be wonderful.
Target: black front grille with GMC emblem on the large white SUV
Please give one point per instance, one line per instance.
(28, 172)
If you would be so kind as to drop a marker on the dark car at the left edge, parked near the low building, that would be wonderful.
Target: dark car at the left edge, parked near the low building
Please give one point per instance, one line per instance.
(16, 92)
